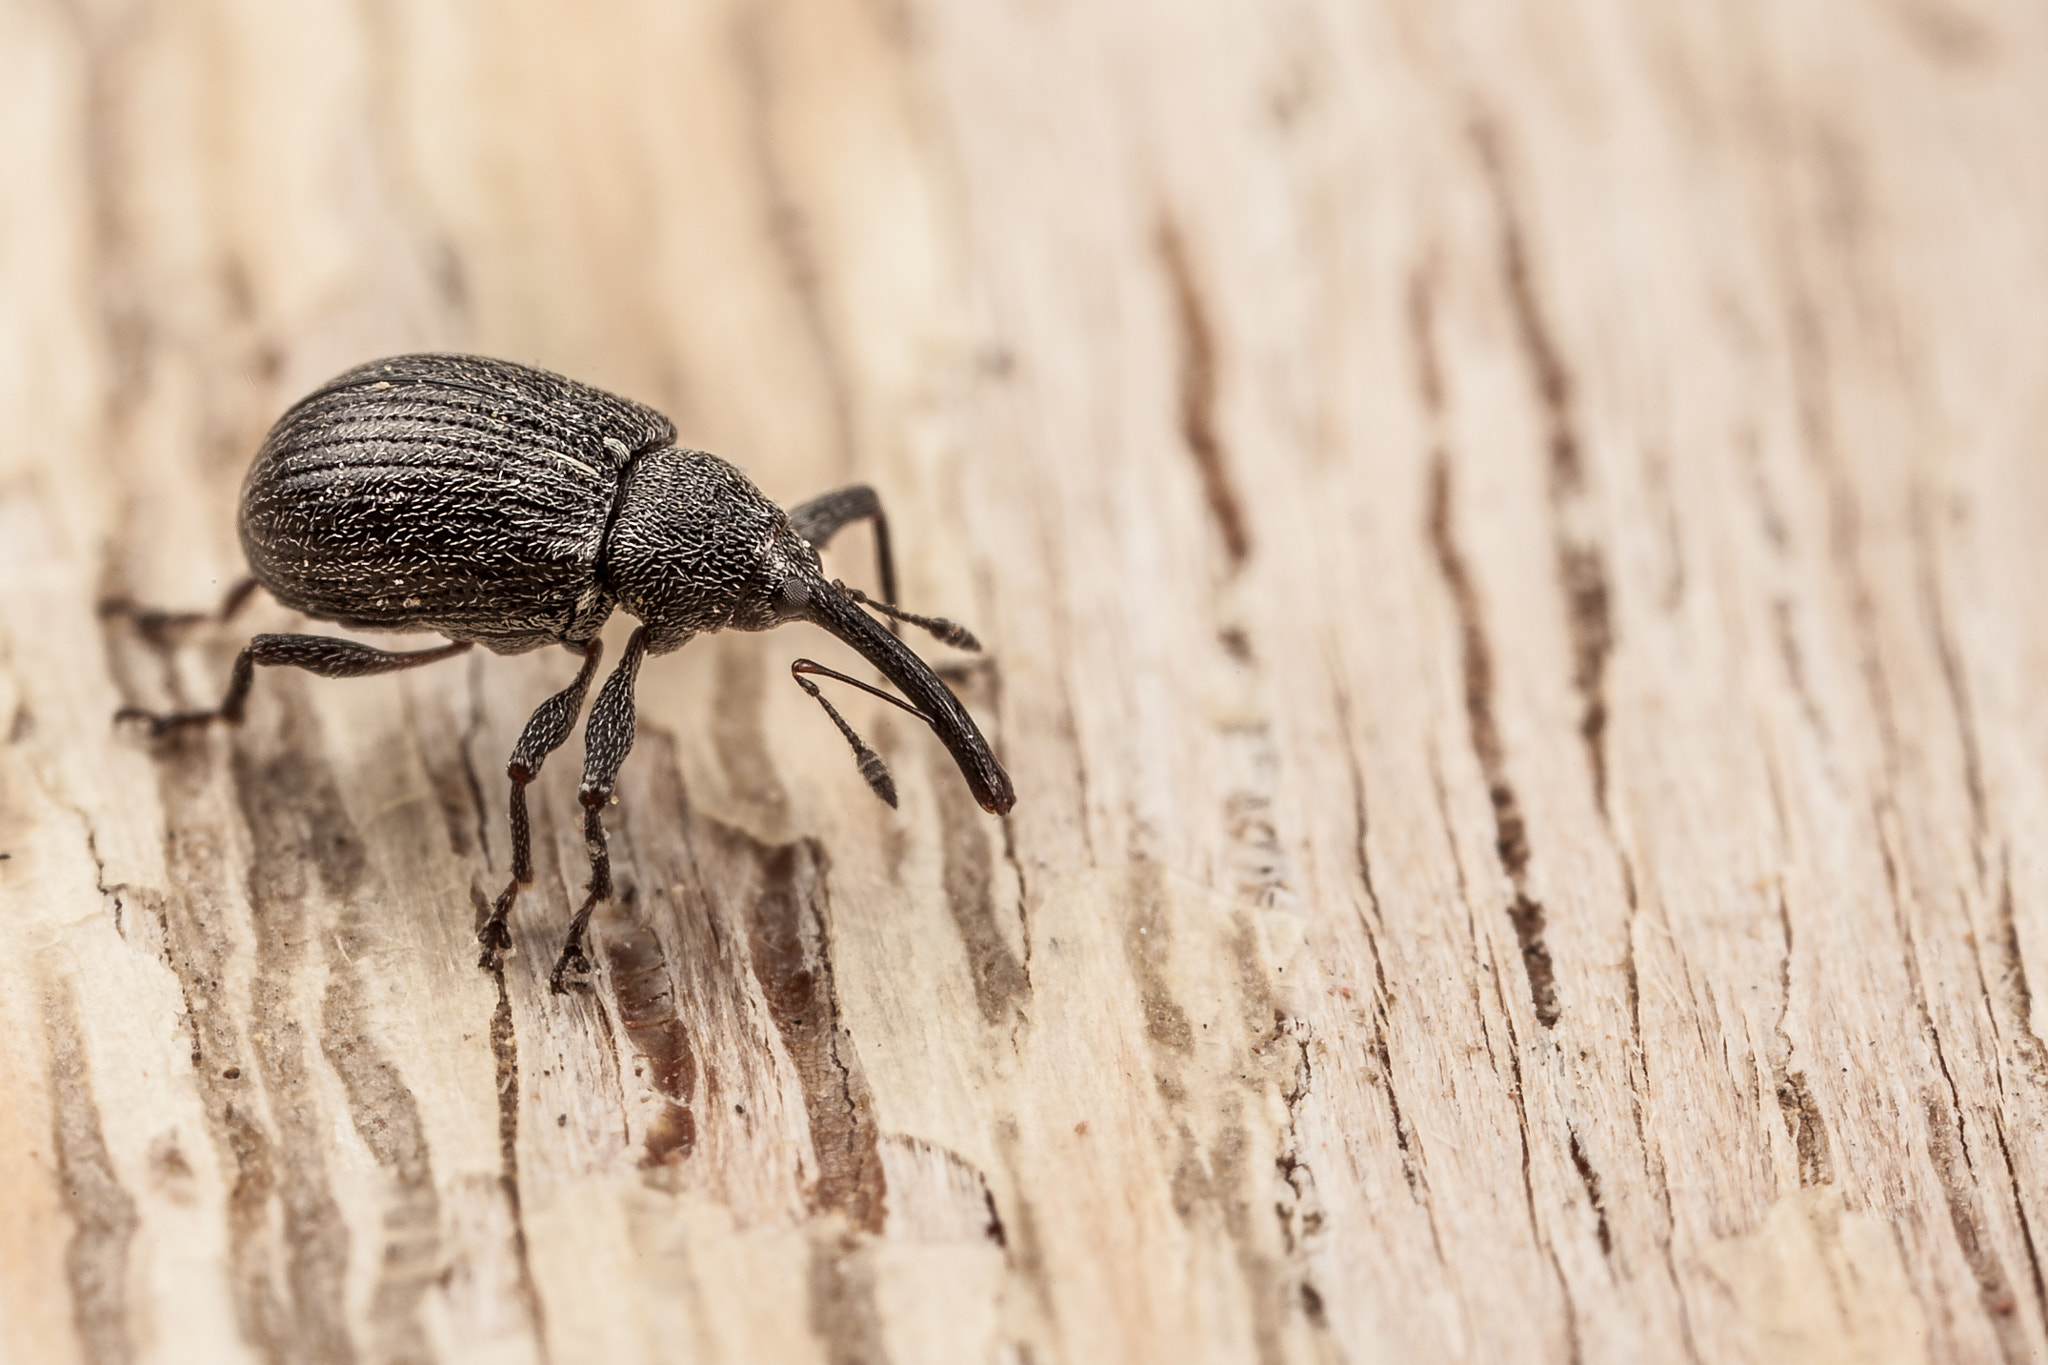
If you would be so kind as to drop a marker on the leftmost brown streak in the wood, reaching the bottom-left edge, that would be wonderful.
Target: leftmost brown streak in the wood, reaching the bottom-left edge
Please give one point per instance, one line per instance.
(103, 1215)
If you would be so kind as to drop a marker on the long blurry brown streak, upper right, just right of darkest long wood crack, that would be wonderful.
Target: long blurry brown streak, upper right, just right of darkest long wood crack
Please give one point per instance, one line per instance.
(1580, 564)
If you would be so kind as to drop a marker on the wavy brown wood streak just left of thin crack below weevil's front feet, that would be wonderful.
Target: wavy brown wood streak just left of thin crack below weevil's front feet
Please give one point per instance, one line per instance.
(386, 1118)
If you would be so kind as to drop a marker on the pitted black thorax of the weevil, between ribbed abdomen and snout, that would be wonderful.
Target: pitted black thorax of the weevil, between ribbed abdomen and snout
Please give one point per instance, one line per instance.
(695, 547)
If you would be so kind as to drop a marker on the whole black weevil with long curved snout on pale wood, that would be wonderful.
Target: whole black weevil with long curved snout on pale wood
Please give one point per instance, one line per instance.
(513, 509)
